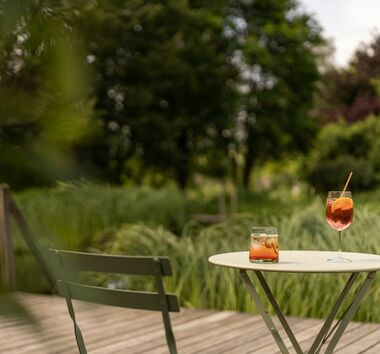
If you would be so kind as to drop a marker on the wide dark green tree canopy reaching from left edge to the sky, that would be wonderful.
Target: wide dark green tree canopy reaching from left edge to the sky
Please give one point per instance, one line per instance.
(150, 91)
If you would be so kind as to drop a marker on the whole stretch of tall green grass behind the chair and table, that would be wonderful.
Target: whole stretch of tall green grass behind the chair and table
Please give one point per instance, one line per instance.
(157, 222)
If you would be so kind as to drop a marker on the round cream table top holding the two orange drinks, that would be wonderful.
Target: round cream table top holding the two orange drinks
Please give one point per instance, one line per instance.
(301, 262)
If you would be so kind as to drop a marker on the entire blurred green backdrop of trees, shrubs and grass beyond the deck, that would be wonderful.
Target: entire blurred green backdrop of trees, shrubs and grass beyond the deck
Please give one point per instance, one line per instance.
(120, 120)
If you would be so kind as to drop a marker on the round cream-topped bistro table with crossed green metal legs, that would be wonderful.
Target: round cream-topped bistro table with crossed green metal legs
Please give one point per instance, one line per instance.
(305, 262)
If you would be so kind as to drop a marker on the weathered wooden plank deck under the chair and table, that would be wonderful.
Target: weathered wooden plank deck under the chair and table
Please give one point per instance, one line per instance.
(109, 330)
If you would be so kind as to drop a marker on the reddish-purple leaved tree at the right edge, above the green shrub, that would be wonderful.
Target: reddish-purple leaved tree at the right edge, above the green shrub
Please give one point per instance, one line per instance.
(353, 93)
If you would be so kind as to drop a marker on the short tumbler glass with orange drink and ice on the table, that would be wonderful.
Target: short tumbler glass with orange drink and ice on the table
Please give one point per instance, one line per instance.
(264, 245)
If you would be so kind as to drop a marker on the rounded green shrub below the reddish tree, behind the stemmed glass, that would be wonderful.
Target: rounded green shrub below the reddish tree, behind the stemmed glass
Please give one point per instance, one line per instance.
(341, 147)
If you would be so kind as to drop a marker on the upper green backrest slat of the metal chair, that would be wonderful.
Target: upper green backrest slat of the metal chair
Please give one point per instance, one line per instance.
(133, 265)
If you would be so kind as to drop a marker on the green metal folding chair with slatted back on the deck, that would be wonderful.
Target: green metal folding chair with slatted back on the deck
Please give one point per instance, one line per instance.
(68, 263)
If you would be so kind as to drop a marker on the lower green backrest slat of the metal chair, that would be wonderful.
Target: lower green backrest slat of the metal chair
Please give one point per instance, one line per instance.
(116, 297)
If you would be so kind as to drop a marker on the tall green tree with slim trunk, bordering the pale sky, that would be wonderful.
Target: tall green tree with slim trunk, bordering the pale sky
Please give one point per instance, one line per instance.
(279, 65)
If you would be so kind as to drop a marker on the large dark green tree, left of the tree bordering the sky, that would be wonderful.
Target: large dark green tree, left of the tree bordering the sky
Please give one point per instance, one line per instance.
(165, 87)
